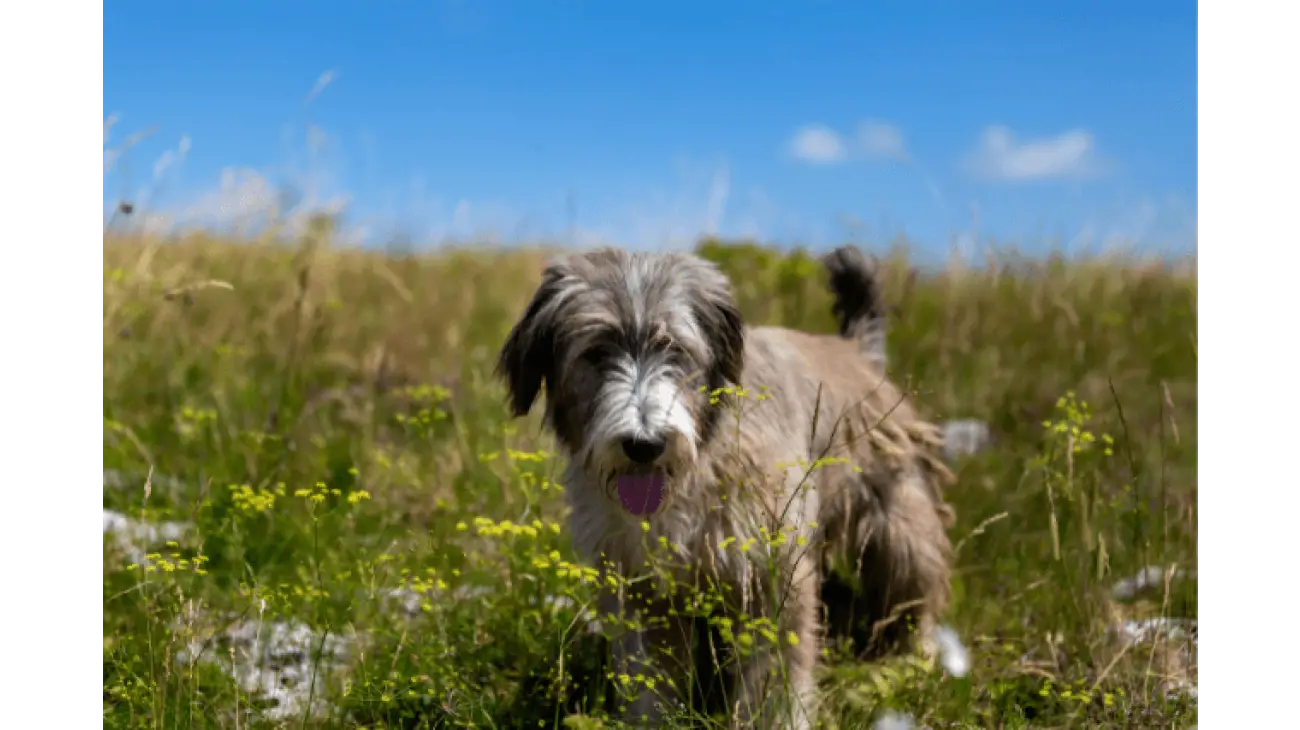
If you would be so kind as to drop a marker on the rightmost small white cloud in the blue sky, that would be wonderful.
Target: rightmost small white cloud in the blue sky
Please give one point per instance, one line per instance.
(1068, 155)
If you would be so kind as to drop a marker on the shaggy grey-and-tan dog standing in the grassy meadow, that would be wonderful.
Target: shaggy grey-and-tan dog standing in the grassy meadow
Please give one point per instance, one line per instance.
(762, 458)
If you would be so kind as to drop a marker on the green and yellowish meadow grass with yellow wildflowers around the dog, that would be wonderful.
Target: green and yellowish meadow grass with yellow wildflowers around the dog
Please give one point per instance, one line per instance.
(328, 424)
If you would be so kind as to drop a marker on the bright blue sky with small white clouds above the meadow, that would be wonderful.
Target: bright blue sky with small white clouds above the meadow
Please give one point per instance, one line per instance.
(648, 124)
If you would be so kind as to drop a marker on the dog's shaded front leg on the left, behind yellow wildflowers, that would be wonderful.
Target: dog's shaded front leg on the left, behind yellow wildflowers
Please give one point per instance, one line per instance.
(652, 655)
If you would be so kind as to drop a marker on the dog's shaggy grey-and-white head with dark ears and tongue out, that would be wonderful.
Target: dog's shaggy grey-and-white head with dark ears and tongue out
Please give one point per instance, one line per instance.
(623, 344)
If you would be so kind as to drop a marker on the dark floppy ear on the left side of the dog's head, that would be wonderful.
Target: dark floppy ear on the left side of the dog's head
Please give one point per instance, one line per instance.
(528, 358)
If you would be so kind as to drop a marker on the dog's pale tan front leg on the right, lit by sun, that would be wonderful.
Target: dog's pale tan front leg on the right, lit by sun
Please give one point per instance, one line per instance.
(775, 684)
